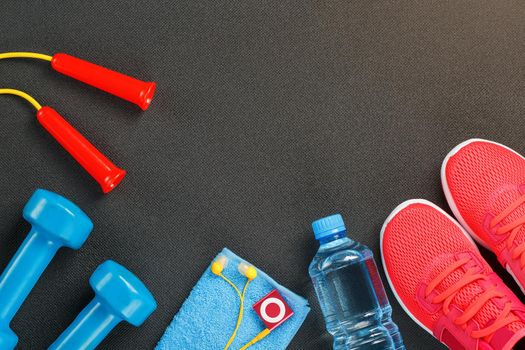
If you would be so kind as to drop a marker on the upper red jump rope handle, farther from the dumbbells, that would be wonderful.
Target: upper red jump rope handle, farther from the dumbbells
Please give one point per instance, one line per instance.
(118, 84)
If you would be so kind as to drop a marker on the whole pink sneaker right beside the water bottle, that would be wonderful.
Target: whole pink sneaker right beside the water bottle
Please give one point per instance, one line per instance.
(444, 284)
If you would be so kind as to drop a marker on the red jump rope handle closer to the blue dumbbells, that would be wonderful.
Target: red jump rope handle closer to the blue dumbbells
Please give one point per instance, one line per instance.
(107, 174)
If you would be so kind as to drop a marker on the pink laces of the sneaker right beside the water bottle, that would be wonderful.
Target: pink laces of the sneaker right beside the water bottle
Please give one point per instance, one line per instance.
(446, 297)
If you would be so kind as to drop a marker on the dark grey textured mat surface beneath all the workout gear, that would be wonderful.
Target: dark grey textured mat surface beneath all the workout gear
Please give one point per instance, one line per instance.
(268, 115)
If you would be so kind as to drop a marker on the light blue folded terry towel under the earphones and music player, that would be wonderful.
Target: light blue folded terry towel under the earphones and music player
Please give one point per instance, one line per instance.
(207, 318)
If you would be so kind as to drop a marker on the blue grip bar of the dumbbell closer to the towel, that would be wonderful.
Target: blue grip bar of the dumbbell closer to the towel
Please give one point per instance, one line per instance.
(88, 330)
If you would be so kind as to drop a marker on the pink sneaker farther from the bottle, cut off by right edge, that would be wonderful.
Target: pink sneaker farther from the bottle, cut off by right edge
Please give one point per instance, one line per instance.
(484, 183)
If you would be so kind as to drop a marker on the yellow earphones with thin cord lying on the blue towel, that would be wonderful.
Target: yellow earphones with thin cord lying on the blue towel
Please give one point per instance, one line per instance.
(247, 271)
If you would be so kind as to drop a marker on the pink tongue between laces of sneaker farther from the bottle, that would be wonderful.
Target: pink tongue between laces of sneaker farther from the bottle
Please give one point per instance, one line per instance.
(501, 200)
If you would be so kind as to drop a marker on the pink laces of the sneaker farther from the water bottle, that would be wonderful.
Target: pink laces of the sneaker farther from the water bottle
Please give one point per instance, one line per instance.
(513, 228)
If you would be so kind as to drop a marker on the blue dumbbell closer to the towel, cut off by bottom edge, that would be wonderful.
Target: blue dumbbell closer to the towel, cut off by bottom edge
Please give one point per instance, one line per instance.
(119, 296)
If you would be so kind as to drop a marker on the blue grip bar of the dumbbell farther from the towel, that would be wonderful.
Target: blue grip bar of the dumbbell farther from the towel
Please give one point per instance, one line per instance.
(23, 272)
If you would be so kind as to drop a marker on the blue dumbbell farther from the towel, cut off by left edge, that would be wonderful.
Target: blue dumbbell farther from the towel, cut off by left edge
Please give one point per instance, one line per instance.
(56, 222)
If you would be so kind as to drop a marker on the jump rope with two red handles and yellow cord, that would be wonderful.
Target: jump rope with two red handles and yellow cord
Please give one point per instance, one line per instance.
(107, 174)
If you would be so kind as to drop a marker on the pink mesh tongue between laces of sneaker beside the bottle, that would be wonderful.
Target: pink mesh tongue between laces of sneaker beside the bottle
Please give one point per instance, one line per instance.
(467, 295)
